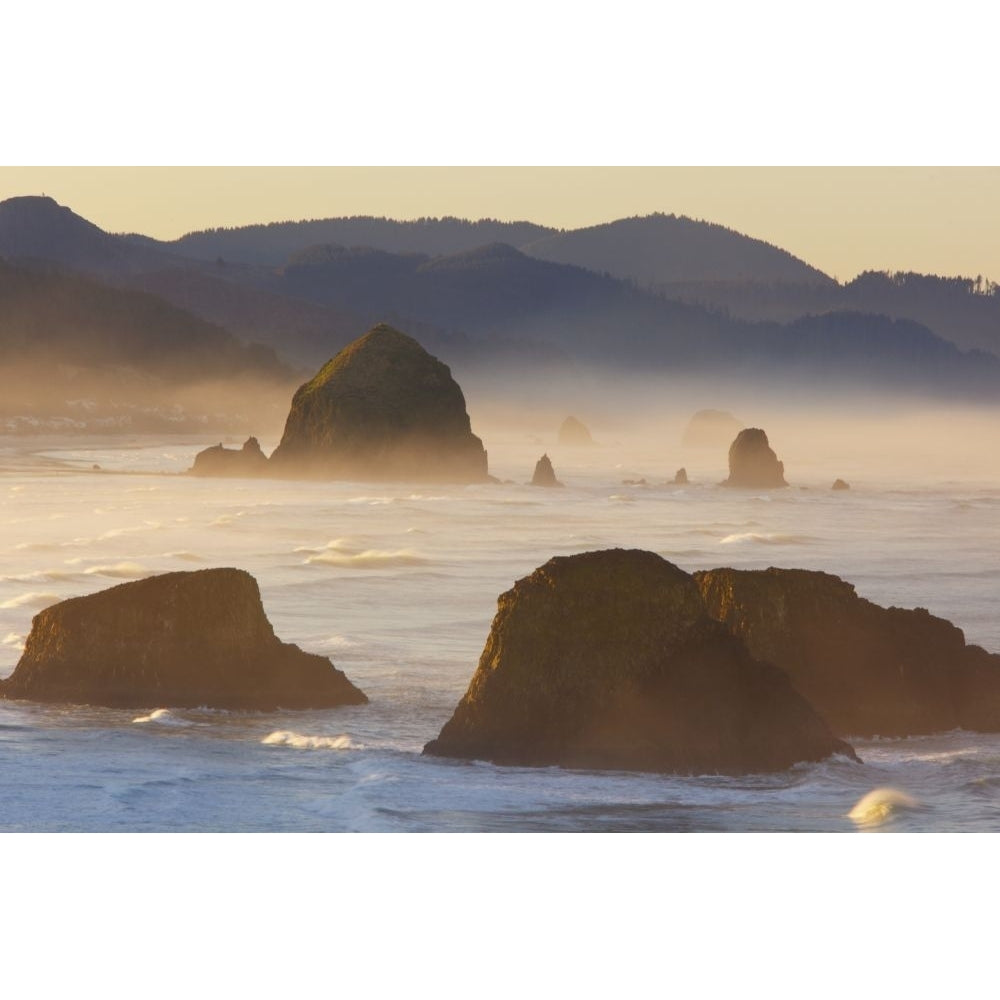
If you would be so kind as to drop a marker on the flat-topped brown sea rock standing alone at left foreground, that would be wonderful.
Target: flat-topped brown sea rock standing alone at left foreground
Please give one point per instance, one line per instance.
(176, 640)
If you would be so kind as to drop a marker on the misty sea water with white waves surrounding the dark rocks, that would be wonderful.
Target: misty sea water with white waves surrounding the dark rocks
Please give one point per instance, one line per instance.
(397, 583)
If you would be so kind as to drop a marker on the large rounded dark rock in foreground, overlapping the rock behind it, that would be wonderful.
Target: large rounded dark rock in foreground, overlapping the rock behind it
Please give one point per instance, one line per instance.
(608, 660)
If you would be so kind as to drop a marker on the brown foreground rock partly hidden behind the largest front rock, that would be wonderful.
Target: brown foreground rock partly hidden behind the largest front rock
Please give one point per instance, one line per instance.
(868, 670)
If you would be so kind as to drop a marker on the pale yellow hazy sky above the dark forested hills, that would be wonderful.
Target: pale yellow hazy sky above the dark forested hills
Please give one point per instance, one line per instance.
(840, 219)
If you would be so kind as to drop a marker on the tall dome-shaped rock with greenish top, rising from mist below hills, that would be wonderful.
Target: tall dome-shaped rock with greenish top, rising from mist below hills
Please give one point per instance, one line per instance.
(383, 408)
